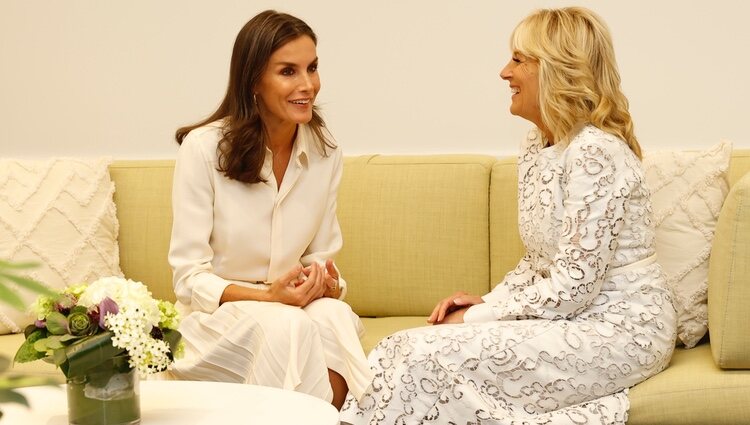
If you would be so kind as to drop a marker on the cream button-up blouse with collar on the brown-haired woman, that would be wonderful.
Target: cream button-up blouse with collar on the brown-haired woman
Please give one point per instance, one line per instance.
(228, 232)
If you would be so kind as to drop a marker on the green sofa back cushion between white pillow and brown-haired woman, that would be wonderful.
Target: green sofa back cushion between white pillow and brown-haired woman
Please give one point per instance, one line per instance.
(143, 194)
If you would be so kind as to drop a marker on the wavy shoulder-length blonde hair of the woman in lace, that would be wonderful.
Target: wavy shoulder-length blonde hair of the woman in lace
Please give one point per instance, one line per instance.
(578, 78)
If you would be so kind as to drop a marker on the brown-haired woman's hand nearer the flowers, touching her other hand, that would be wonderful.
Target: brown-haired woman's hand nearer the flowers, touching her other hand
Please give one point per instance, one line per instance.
(288, 289)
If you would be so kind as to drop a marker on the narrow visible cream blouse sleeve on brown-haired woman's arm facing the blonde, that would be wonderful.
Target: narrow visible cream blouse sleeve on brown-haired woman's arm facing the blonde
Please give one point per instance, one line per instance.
(328, 241)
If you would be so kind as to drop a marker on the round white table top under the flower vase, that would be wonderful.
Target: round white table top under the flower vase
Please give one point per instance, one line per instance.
(187, 402)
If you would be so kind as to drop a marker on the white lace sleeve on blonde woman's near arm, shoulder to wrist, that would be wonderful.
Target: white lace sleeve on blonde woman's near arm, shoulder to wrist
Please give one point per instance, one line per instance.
(593, 201)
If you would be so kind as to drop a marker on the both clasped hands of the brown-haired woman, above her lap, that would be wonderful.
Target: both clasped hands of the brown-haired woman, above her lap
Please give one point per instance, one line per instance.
(302, 285)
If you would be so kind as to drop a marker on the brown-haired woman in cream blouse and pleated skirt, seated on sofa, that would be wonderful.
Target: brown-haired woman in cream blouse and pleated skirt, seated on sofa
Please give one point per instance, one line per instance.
(255, 228)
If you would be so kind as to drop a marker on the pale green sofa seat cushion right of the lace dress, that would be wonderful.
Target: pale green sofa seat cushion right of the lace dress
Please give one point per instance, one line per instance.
(692, 390)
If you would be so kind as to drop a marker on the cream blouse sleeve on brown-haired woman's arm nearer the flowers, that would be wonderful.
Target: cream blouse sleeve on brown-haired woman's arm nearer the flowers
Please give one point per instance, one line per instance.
(190, 254)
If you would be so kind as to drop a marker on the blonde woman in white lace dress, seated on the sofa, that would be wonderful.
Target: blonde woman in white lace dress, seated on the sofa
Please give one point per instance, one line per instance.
(586, 314)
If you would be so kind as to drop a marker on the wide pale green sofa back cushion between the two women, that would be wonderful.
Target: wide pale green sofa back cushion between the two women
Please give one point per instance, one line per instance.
(415, 228)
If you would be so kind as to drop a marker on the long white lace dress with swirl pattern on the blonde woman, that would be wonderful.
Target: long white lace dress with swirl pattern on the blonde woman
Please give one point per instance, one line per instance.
(585, 314)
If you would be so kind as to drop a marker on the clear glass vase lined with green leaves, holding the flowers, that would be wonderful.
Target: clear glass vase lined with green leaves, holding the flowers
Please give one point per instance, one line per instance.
(106, 394)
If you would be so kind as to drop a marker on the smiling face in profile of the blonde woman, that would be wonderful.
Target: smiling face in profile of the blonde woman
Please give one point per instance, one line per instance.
(522, 73)
